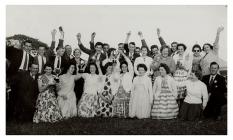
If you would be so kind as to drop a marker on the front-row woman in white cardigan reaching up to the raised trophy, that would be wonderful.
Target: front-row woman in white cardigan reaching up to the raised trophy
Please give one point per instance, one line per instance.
(121, 99)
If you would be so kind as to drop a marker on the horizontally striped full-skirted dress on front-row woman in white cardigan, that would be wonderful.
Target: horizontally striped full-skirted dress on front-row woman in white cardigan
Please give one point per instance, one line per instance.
(164, 105)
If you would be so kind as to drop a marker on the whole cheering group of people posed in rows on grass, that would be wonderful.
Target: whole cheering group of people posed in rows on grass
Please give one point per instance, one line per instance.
(127, 82)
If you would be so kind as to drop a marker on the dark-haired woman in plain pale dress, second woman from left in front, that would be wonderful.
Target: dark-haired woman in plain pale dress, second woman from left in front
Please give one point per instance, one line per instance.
(66, 95)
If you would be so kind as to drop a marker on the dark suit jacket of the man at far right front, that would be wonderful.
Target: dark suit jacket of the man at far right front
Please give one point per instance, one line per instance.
(217, 89)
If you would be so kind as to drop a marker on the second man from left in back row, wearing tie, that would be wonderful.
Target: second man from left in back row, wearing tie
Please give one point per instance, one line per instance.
(40, 59)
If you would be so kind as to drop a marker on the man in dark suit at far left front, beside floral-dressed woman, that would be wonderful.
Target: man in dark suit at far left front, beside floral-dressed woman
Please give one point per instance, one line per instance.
(24, 94)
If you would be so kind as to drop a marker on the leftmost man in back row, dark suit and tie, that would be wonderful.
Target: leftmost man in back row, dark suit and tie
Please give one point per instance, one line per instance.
(19, 59)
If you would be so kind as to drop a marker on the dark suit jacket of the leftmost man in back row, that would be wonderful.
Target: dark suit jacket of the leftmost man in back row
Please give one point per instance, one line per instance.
(15, 57)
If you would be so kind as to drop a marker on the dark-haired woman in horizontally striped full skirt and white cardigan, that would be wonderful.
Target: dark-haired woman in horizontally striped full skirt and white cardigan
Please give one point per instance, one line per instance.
(165, 93)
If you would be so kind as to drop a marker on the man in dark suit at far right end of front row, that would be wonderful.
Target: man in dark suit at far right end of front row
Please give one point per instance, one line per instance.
(216, 86)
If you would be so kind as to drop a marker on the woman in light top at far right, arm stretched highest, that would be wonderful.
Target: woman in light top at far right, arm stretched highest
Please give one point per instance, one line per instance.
(211, 53)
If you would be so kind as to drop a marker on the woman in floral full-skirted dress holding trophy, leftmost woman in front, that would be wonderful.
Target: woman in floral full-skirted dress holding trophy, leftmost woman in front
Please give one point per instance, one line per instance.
(47, 109)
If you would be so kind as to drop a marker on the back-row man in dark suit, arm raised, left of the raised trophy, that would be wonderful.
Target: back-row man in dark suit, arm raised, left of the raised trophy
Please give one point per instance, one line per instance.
(94, 54)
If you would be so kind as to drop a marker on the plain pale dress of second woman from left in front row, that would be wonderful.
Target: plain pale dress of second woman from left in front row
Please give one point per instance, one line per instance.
(68, 106)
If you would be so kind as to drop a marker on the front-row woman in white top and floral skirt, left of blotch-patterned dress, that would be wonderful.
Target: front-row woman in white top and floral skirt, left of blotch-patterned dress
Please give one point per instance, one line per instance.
(87, 105)
